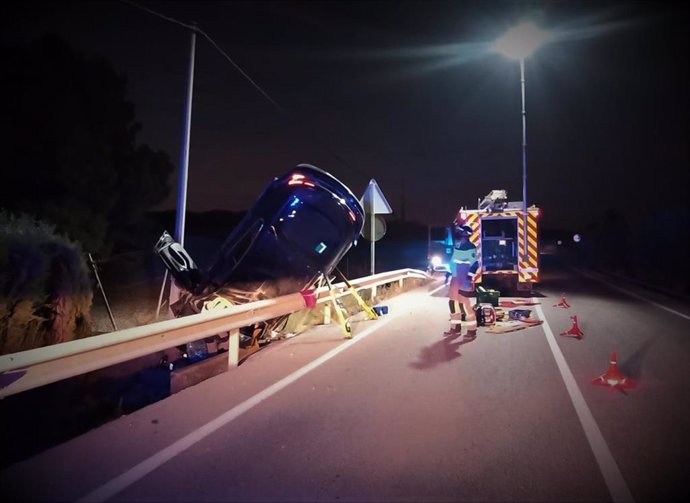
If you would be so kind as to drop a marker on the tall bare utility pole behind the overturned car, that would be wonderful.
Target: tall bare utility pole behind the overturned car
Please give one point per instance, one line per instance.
(184, 166)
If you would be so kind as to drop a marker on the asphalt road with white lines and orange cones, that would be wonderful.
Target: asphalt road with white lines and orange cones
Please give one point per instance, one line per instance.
(400, 413)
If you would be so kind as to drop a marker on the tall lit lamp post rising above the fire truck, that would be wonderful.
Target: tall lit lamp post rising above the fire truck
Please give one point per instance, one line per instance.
(518, 43)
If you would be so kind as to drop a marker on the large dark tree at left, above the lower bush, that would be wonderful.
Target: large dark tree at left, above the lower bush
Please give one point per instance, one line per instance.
(69, 144)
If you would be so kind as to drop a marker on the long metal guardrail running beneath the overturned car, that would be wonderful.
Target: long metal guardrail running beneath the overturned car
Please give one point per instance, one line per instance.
(37, 367)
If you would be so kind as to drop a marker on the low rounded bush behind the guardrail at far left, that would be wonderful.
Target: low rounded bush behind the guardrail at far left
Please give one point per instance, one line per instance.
(45, 288)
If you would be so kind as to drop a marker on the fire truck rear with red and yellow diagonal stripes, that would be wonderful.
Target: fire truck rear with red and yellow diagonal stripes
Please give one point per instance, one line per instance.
(506, 237)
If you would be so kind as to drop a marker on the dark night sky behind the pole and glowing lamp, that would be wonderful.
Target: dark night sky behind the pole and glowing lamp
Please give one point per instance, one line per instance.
(407, 93)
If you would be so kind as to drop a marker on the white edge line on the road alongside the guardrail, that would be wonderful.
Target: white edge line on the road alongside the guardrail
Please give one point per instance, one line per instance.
(126, 479)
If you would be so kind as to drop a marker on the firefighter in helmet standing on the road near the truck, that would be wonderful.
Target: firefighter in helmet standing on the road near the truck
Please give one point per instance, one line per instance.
(461, 290)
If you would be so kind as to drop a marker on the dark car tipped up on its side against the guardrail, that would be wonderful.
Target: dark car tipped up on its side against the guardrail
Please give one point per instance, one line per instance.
(299, 229)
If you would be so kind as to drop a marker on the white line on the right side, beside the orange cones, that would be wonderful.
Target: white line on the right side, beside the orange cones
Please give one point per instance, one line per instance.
(609, 469)
